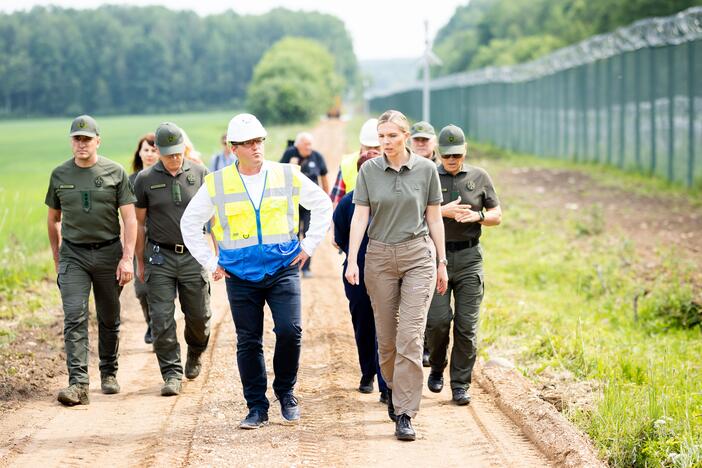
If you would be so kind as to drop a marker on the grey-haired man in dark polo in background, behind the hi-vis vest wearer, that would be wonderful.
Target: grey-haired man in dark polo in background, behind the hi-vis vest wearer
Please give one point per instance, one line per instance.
(313, 166)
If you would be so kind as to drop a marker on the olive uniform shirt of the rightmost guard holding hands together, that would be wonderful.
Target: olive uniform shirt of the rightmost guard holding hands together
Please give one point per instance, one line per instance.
(474, 187)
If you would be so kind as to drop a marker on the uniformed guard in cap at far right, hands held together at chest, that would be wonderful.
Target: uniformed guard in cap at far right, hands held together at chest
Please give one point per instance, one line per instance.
(470, 202)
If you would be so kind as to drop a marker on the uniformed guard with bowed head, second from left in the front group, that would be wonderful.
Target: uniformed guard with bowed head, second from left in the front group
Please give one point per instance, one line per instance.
(163, 191)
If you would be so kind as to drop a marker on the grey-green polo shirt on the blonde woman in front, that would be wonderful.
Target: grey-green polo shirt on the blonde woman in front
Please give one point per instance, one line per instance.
(397, 200)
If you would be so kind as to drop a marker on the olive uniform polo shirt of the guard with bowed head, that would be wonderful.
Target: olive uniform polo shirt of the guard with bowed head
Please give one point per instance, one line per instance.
(165, 197)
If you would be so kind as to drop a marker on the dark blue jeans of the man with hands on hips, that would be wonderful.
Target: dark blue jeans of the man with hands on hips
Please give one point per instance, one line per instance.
(247, 298)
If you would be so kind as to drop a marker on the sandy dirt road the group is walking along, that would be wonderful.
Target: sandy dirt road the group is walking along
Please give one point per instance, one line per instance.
(339, 426)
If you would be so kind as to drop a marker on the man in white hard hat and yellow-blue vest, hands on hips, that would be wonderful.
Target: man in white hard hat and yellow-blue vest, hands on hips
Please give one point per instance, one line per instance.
(254, 203)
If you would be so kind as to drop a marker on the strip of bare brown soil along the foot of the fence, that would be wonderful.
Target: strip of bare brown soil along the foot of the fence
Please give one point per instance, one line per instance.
(655, 224)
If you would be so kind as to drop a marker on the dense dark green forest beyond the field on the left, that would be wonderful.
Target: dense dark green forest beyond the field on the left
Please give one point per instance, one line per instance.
(114, 59)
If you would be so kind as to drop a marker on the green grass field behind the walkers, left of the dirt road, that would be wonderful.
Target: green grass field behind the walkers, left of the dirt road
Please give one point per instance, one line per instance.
(30, 149)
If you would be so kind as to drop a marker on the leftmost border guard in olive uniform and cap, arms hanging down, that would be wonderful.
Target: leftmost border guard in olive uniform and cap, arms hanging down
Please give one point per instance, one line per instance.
(86, 195)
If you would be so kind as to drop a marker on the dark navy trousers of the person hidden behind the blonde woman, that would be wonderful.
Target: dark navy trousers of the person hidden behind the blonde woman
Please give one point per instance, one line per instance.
(364, 332)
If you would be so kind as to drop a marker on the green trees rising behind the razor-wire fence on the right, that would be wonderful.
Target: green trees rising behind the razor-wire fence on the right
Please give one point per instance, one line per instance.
(505, 32)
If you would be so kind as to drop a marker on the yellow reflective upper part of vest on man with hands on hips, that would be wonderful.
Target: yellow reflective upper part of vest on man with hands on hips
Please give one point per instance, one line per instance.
(238, 224)
